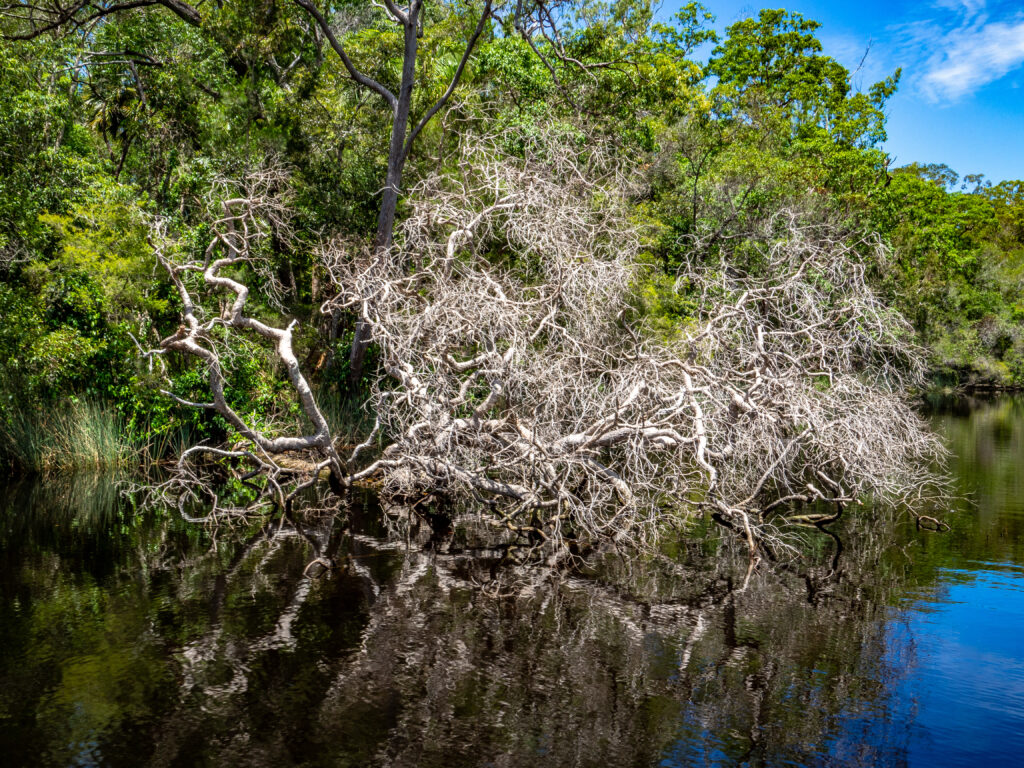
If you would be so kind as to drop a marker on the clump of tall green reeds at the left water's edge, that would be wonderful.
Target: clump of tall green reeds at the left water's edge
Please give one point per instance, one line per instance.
(78, 436)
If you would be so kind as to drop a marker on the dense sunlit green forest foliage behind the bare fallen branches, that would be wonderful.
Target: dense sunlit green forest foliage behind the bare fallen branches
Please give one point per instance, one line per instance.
(109, 123)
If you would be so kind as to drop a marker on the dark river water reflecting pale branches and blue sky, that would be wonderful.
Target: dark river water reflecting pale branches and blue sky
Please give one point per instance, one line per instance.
(132, 639)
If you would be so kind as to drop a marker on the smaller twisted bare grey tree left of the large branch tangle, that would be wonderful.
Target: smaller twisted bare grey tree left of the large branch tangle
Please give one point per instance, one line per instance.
(241, 227)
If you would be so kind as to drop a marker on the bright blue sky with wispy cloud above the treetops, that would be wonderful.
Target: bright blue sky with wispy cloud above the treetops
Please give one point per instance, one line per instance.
(961, 101)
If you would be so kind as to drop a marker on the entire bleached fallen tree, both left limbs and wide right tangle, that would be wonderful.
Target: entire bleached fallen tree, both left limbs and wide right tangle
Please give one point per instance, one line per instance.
(519, 373)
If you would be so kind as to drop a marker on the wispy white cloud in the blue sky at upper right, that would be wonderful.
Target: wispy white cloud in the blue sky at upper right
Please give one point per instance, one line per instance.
(971, 56)
